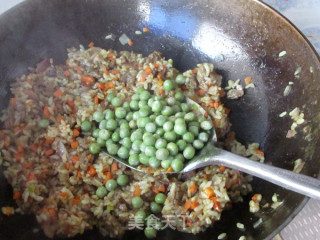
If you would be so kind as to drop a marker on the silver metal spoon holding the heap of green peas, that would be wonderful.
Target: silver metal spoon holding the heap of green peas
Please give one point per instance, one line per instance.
(211, 155)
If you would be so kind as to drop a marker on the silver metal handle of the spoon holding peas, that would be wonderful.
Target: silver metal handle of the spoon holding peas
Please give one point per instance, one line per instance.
(293, 181)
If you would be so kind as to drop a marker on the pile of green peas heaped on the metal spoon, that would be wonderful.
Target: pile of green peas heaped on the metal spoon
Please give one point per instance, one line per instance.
(151, 130)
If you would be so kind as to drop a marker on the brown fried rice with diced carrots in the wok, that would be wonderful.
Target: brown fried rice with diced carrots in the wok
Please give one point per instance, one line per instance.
(49, 168)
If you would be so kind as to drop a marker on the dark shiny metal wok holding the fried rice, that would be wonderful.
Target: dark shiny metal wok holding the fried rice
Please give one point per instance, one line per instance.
(241, 37)
